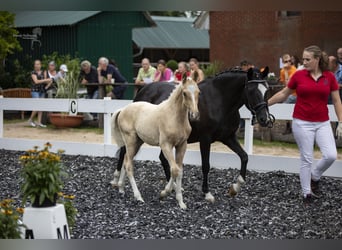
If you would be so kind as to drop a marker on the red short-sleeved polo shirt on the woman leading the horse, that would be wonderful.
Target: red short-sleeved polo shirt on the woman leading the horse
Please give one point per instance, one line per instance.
(312, 96)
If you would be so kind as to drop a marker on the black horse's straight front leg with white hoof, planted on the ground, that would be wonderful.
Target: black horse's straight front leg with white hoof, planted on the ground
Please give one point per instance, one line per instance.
(205, 154)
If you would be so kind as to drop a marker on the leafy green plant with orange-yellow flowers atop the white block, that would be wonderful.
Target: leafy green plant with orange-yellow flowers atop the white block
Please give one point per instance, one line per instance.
(42, 174)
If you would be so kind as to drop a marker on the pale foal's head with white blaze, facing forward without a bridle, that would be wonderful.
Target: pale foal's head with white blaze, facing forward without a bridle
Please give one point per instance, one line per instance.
(190, 97)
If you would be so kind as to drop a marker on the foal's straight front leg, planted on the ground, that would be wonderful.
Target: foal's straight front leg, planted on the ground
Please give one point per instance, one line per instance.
(180, 151)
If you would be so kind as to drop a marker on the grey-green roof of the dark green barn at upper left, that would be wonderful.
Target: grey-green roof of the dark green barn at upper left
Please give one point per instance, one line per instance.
(50, 18)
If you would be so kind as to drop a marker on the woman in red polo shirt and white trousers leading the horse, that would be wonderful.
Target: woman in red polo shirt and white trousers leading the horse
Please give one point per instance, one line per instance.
(310, 117)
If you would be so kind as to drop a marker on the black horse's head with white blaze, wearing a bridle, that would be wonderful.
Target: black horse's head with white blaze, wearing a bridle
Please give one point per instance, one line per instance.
(256, 88)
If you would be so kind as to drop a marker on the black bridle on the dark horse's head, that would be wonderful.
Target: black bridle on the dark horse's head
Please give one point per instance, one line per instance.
(254, 110)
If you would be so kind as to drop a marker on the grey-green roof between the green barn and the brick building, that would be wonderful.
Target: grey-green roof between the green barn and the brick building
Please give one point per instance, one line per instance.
(171, 33)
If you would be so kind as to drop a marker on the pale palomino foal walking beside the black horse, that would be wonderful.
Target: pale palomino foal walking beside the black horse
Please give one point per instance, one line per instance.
(166, 125)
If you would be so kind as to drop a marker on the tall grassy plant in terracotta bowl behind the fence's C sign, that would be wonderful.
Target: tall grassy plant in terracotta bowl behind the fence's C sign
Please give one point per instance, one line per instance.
(67, 88)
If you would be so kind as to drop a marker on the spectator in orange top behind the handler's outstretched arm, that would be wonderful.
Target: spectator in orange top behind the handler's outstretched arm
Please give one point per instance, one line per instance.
(285, 74)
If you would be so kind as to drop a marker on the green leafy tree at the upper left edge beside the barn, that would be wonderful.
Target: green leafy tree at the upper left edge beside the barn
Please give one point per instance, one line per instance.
(8, 42)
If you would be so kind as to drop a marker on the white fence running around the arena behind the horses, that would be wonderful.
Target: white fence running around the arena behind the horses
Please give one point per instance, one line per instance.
(107, 107)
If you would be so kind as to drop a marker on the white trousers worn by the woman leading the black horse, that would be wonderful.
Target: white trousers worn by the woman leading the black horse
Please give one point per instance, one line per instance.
(305, 134)
